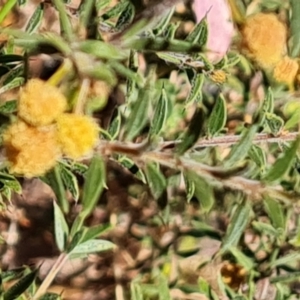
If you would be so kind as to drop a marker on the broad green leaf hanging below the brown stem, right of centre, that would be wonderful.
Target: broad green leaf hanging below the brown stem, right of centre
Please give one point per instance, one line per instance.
(203, 191)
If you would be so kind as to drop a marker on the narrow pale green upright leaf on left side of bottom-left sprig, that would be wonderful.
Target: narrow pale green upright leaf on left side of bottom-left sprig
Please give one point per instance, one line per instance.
(61, 228)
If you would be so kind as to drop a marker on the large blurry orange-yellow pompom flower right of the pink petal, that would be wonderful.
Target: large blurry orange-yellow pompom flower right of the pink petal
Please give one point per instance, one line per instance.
(265, 37)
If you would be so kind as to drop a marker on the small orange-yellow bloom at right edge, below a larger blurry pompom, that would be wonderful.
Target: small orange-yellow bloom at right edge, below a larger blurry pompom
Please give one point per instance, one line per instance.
(286, 70)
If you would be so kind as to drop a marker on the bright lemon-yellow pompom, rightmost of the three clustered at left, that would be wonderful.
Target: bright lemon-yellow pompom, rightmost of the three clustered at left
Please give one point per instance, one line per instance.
(77, 134)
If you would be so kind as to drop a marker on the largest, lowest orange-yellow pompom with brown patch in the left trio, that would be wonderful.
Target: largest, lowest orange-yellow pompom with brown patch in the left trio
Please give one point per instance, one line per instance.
(31, 151)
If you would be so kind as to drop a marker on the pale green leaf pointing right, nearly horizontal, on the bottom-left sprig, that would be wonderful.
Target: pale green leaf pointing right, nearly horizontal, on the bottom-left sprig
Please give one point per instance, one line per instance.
(90, 246)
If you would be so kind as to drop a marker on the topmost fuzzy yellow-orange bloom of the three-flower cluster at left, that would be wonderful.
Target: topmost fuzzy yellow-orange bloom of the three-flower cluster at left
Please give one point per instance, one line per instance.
(41, 103)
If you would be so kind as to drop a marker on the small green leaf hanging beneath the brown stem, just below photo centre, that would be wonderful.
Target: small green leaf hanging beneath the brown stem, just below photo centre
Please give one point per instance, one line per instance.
(156, 180)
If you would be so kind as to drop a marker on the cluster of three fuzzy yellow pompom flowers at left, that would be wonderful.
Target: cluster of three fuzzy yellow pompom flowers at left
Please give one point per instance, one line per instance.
(43, 132)
